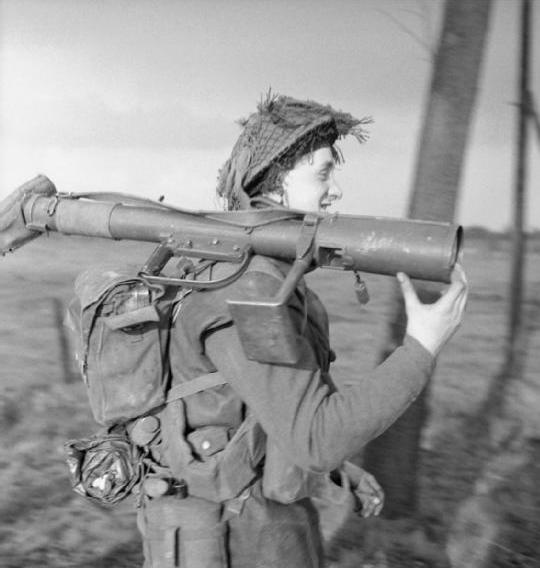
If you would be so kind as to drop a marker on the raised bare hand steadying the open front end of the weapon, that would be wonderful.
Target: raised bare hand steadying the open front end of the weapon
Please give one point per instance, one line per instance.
(434, 324)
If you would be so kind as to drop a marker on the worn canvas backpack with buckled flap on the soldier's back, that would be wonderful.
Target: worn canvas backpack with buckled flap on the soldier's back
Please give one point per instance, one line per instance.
(121, 328)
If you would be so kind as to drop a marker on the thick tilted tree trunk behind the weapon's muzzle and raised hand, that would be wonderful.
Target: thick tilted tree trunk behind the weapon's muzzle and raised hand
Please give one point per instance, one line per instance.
(393, 457)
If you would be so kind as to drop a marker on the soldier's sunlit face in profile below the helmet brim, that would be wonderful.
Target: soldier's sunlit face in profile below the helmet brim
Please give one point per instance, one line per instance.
(310, 184)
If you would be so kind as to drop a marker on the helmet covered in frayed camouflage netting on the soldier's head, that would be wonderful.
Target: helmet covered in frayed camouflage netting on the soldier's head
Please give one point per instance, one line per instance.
(280, 126)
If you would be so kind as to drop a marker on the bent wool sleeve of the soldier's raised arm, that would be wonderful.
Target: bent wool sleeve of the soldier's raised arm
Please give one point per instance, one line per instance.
(315, 427)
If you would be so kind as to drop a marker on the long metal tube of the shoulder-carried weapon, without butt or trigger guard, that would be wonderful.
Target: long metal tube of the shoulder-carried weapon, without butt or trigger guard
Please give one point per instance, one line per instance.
(422, 249)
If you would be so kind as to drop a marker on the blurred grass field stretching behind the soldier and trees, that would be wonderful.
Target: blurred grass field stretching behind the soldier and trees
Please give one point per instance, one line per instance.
(474, 499)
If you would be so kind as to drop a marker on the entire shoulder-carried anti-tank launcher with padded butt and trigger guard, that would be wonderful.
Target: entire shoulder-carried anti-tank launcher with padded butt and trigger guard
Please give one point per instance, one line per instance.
(425, 250)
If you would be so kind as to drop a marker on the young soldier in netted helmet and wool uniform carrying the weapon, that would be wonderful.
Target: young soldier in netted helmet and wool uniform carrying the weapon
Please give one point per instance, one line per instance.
(246, 443)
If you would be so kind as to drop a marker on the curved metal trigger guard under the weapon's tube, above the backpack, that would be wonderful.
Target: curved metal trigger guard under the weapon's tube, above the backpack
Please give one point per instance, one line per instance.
(164, 252)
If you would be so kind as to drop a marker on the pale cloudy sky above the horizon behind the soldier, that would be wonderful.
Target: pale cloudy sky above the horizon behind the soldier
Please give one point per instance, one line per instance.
(142, 96)
